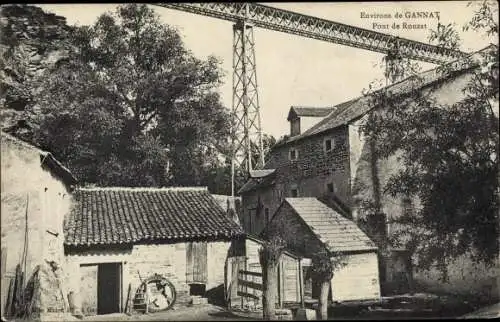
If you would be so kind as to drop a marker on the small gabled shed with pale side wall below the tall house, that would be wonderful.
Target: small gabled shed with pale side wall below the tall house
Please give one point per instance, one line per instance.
(310, 226)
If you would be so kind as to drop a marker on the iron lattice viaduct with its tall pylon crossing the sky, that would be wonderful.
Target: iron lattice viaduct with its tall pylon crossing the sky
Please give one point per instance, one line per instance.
(246, 135)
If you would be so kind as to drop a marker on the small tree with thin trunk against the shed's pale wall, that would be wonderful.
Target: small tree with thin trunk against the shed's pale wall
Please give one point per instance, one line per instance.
(324, 265)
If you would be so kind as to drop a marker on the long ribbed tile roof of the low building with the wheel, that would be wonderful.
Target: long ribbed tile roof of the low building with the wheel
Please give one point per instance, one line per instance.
(105, 216)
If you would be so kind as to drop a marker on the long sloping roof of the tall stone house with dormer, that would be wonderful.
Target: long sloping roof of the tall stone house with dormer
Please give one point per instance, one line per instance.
(351, 110)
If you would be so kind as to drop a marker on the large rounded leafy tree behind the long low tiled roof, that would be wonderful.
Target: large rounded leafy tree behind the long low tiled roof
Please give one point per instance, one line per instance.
(132, 106)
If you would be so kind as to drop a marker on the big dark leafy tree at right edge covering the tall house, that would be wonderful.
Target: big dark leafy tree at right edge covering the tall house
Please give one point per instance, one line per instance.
(449, 156)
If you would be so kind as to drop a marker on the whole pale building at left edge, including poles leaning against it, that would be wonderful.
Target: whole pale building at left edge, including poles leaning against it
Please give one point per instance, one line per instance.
(35, 190)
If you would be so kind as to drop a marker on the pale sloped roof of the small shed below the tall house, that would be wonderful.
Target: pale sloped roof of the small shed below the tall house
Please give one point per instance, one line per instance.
(331, 228)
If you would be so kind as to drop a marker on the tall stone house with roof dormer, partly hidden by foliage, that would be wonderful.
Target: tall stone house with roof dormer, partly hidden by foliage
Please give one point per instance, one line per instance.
(333, 161)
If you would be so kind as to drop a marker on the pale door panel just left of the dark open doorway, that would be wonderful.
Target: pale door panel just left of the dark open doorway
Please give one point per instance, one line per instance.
(88, 289)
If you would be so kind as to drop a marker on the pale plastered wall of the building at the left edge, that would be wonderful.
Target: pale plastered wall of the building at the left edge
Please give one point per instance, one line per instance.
(28, 190)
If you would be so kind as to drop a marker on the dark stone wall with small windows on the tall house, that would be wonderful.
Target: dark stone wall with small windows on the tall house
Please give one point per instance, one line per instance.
(310, 174)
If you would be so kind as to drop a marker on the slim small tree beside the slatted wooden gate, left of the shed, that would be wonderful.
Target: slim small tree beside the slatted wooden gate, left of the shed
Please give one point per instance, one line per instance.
(269, 257)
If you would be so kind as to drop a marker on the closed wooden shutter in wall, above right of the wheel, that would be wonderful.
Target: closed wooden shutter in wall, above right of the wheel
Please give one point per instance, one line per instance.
(196, 254)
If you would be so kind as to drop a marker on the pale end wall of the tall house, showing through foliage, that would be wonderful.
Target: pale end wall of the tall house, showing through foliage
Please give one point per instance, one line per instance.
(464, 275)
